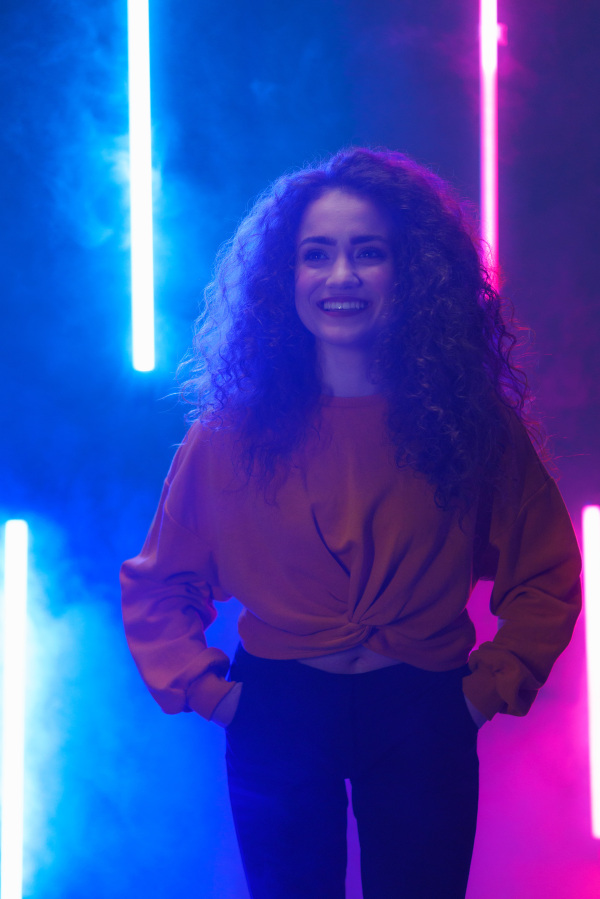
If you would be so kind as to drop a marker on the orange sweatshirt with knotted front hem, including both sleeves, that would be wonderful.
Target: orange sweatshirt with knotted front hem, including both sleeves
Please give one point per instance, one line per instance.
(352, 551)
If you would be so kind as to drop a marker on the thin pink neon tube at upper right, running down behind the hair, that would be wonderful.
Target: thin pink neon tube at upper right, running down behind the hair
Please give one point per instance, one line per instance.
(488, 99)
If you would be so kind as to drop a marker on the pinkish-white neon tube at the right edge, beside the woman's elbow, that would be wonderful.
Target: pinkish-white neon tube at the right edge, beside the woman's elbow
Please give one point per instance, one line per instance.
(591, 588)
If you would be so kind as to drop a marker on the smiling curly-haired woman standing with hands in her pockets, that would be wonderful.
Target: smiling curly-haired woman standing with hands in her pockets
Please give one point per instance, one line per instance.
(358, 463)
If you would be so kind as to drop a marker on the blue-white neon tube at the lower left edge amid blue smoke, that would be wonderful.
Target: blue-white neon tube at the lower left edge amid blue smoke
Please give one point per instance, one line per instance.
(13, 708)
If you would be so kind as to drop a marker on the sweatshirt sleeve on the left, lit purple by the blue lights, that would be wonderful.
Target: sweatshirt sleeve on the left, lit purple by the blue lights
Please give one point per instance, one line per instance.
(168, 594)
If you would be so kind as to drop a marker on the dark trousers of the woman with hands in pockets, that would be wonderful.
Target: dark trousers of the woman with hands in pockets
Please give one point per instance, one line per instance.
(407, 743)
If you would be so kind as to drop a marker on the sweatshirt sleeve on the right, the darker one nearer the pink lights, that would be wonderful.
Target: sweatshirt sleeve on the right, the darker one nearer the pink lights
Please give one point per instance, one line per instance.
(537, 593)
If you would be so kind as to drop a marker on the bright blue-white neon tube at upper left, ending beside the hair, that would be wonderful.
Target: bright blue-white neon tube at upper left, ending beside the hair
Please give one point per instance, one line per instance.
(140, 181)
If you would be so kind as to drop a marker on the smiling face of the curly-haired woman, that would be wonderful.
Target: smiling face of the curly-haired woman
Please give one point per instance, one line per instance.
(344, 270)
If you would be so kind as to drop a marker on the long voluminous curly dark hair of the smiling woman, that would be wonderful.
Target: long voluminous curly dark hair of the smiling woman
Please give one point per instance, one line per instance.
(443, 361)
